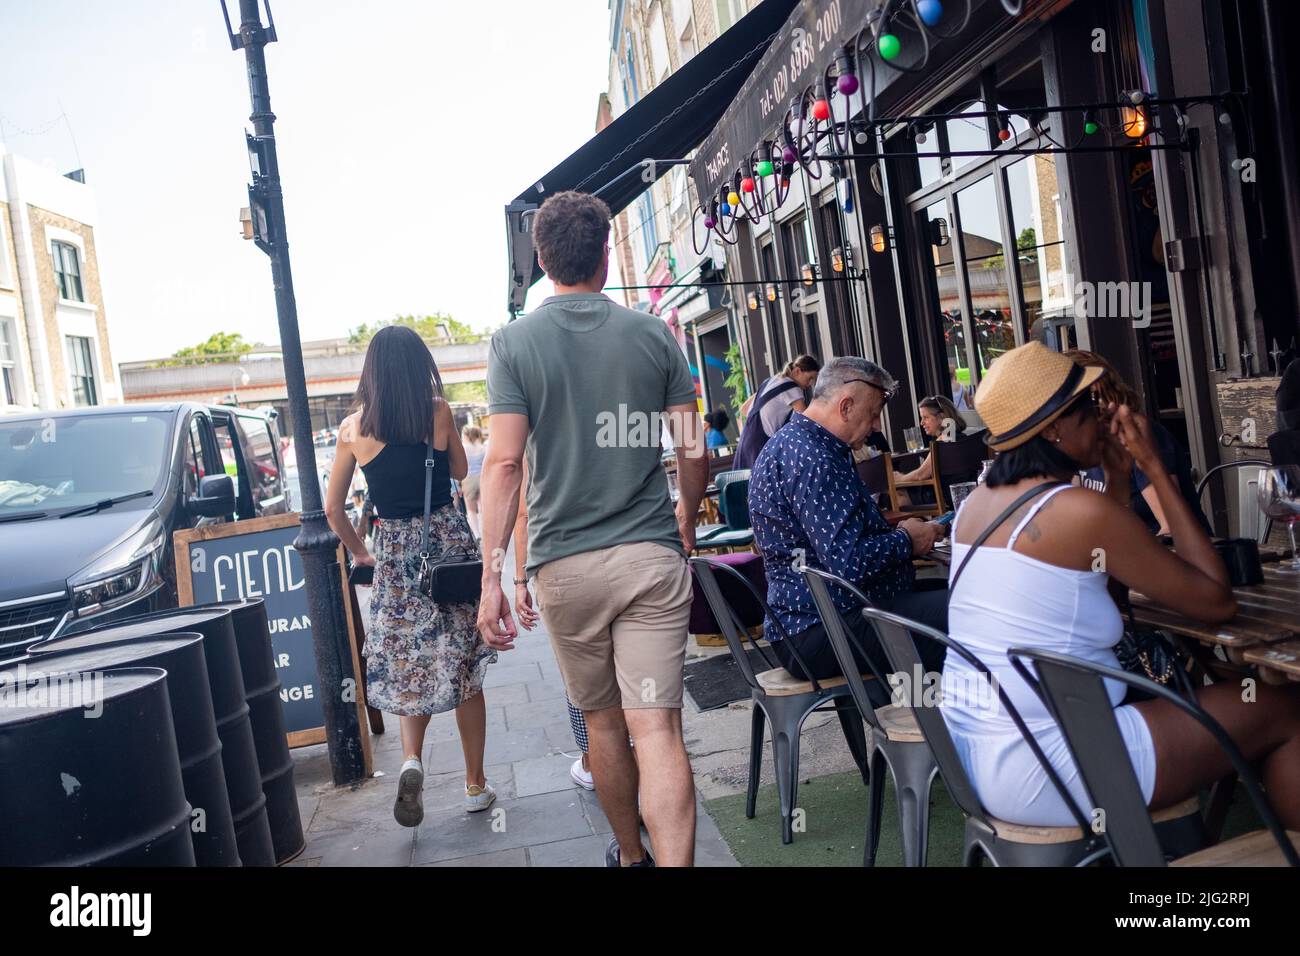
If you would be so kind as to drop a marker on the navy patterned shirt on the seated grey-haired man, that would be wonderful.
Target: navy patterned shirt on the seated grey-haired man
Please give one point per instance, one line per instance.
(805, 494)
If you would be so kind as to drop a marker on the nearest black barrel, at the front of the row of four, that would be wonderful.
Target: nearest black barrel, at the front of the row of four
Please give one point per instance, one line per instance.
(93, 791)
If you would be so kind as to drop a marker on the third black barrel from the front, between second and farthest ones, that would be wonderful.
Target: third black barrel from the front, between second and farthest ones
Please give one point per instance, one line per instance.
(239, 752)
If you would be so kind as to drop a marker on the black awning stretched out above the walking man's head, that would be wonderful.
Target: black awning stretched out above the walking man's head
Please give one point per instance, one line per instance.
(669, 123)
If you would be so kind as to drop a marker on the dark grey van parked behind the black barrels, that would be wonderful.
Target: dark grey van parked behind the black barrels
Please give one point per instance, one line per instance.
(90, 498)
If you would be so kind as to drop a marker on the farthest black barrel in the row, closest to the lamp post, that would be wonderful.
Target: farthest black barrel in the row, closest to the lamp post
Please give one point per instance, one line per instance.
(266, 711)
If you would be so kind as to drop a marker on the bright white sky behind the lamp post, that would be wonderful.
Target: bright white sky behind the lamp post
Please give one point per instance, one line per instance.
(404, 129)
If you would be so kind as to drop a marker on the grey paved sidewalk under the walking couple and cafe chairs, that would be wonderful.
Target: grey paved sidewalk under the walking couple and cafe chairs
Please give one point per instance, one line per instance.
(541, 817)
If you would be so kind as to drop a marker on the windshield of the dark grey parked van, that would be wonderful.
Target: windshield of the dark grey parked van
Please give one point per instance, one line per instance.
(71, 461)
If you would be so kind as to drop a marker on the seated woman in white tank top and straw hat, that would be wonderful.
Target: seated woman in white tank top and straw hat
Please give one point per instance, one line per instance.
(1042, 579)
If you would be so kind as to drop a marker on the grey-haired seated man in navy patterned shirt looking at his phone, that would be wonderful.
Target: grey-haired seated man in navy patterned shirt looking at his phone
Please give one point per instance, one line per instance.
(805, 496)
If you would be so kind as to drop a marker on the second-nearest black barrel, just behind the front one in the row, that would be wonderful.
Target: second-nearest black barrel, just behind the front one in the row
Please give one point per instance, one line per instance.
(198, 745)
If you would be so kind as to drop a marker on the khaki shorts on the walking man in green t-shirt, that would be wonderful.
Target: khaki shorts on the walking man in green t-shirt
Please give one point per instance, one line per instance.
(618, 624)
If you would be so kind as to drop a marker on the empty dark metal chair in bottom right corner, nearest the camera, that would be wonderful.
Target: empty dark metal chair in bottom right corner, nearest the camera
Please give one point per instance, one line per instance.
(1074, 694)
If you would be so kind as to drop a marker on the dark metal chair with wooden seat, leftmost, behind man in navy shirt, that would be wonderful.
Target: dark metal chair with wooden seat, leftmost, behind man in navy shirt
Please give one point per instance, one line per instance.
(779, 698)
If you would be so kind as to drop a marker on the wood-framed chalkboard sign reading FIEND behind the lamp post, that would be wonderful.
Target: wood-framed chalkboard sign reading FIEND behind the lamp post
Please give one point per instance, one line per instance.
(257, 559)
